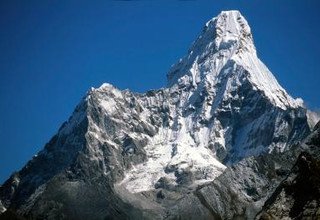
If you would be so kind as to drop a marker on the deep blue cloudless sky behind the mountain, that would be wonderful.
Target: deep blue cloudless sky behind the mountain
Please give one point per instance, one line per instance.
(52, 52)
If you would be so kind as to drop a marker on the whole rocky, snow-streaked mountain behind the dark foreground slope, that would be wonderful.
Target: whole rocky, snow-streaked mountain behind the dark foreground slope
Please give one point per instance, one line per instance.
(125, 155)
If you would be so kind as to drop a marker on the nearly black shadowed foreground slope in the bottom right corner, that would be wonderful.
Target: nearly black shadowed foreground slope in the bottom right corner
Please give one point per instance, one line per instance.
(298, 196)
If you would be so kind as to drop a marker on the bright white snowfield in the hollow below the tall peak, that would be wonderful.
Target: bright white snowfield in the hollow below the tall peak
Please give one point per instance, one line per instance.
(189, 156)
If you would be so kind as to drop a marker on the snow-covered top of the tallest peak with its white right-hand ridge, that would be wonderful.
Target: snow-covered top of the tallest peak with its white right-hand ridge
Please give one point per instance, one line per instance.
(225, 46)
